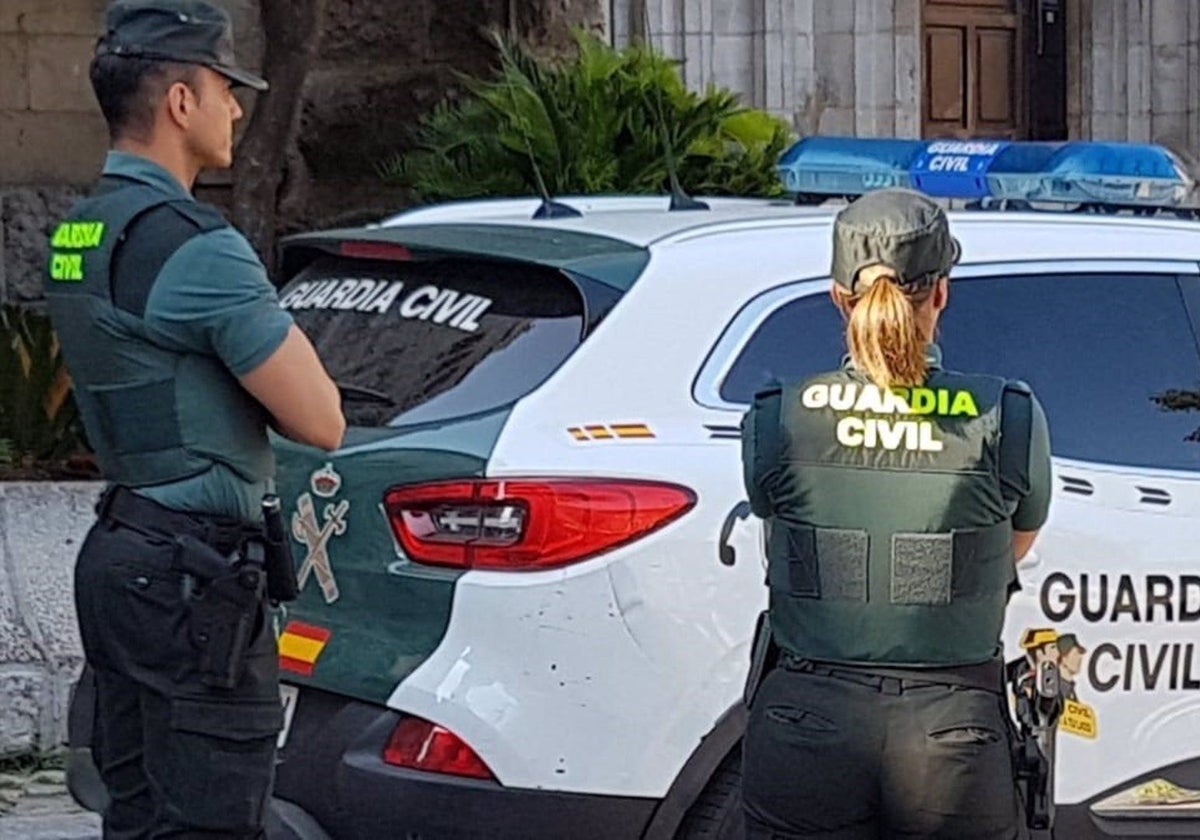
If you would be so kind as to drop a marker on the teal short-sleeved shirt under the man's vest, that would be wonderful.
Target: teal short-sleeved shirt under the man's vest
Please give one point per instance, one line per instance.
(212, 298)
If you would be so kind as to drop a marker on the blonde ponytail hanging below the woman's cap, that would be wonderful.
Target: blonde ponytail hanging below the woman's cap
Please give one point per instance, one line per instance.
(884, 339)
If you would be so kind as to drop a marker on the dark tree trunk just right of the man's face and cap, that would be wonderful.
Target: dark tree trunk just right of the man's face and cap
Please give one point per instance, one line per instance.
(291, 29)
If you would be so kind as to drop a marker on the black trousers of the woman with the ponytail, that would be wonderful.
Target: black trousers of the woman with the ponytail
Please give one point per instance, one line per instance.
(865, 758)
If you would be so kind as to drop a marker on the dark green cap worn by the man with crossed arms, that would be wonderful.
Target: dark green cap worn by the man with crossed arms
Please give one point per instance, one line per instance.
(193, 32)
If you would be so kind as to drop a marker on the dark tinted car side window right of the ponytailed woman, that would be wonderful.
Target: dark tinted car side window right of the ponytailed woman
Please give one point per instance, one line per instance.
(1103, 352)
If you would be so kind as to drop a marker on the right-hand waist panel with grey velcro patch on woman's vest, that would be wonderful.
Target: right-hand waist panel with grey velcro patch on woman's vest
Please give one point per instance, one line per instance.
(935, 569)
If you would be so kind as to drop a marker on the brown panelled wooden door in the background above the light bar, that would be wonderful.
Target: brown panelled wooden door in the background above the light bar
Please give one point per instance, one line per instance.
(974, 56)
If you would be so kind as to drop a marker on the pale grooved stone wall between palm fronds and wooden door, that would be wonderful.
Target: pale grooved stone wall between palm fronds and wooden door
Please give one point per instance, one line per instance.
(845, 68)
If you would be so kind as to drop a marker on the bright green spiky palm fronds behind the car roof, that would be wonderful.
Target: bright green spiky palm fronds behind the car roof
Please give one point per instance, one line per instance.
(597, 123)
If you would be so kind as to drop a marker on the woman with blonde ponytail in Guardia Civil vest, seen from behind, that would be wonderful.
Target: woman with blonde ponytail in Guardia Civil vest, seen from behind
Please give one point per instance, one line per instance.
(898, 496)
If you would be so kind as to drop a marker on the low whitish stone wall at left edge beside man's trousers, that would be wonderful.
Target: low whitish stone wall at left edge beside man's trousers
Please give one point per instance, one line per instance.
(41, 530)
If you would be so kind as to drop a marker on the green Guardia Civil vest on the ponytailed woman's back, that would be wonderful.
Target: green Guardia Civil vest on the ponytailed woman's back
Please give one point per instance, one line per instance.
(895, 543)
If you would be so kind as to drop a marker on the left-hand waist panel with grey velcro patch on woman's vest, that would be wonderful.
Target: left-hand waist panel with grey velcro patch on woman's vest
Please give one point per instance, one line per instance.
(826, 563)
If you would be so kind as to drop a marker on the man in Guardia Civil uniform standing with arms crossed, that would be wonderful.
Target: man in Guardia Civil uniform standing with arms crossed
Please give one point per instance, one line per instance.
(181, 357)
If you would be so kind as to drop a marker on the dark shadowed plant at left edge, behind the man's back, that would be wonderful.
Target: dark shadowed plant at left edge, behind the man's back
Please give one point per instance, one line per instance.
(39, 419)
